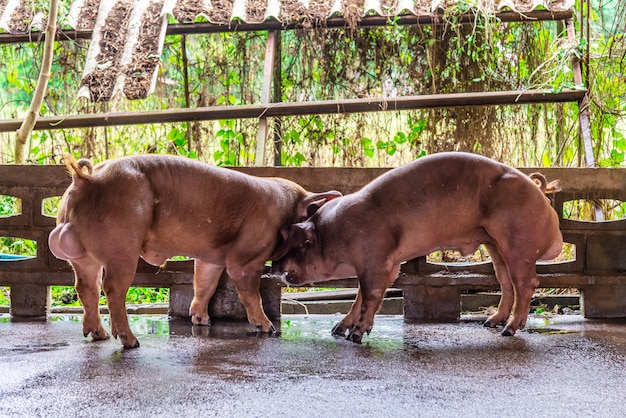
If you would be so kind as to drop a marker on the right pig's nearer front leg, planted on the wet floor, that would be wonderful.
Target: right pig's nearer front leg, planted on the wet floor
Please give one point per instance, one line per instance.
(372, 292)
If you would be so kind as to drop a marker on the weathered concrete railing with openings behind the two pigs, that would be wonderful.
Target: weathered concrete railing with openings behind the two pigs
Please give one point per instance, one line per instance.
(431, 291)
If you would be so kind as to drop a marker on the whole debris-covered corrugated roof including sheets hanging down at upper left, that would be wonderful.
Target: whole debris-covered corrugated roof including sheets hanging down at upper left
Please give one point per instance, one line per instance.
(133, 71)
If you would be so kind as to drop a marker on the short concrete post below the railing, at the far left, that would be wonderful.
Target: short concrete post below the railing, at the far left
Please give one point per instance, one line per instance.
(30, 302)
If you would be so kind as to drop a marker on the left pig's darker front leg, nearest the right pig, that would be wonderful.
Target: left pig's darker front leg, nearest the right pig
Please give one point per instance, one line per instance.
(247, 281)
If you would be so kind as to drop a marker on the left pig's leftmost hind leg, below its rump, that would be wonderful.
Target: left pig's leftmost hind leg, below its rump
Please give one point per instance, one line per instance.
(88, 279)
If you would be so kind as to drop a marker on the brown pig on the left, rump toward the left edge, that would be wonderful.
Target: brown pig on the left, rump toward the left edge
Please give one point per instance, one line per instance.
(158, 206)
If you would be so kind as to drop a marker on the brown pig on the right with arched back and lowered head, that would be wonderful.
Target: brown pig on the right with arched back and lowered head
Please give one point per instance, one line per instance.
(444, 201)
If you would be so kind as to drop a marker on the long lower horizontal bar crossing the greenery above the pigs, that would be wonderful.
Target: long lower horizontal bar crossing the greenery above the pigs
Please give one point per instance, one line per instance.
(374, 104)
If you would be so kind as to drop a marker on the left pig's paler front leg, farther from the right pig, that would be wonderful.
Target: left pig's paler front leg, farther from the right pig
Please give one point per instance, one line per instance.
(205, 280)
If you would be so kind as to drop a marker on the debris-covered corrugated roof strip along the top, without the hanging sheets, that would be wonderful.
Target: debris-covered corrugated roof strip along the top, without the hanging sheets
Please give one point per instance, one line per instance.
(83, 13)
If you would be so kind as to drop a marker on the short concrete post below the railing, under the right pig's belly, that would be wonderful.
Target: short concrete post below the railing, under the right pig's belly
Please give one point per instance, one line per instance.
(432, 303)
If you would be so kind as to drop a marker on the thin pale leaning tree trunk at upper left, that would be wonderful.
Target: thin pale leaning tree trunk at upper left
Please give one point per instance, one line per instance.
(22, 134)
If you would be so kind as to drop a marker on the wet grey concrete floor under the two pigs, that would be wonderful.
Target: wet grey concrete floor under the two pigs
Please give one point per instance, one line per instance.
(560, 366)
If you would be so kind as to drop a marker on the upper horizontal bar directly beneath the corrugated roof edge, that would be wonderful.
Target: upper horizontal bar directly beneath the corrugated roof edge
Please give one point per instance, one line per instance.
(273, 24)
